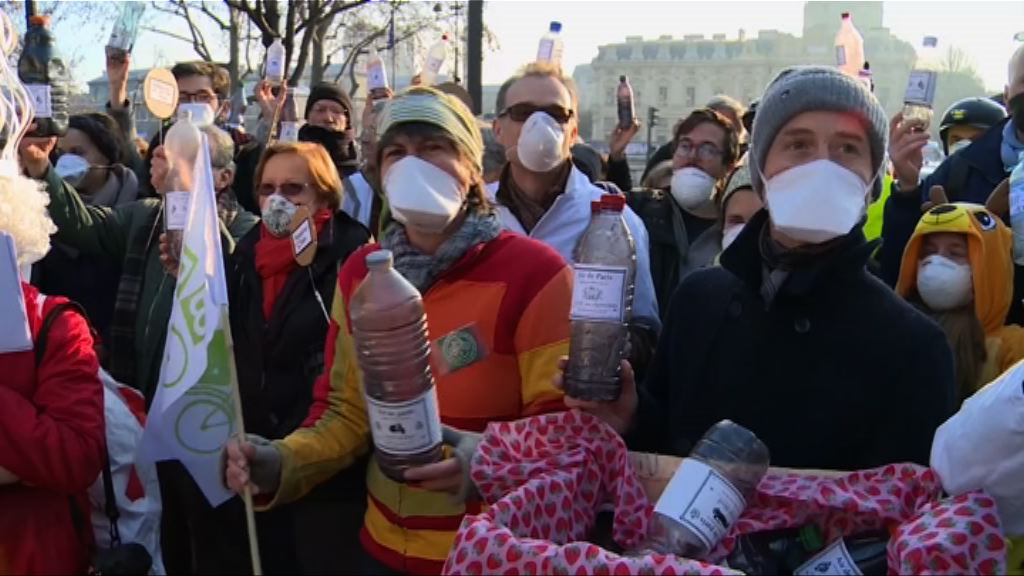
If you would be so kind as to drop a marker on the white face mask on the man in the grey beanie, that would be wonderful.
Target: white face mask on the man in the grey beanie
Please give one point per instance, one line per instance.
(817, 202)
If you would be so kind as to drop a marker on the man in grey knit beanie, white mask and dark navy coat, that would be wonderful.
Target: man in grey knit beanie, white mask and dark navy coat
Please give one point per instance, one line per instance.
(792, 338)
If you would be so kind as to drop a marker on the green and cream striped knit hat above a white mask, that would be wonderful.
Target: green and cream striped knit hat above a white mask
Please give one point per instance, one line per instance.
(429, 106)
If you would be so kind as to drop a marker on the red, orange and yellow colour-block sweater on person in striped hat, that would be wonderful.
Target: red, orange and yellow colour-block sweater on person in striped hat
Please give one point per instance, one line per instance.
(516, 294)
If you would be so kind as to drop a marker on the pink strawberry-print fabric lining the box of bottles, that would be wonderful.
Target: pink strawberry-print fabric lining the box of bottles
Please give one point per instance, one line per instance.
(545, 478)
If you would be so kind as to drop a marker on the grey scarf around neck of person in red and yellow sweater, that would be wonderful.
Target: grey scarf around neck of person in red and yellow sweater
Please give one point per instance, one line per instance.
(422, 270)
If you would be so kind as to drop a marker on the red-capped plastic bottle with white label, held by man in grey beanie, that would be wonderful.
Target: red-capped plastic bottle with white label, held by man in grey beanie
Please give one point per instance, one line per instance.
(603, 304)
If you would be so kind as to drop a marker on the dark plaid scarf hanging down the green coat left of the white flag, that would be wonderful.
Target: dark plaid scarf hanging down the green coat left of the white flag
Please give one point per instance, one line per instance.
(122, 331)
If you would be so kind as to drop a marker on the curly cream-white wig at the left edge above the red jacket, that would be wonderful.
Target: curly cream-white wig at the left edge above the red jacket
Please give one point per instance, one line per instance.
(24, 218)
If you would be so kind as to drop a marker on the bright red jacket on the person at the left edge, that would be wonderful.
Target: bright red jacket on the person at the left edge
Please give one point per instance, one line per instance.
(52, 438)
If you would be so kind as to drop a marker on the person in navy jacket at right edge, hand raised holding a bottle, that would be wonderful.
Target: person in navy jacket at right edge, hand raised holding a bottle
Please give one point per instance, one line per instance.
(979, 170)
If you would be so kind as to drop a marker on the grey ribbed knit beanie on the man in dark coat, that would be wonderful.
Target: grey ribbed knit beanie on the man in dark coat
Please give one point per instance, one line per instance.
(814, 89)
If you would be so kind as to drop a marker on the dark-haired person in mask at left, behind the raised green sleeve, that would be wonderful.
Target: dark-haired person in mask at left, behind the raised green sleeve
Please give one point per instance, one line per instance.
(93, 160)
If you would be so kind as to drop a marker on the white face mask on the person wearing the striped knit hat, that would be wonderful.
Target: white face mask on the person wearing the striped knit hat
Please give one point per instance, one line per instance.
(422, 196)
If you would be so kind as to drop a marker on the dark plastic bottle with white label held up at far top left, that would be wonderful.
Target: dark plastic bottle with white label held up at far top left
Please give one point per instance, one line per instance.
(45, 74)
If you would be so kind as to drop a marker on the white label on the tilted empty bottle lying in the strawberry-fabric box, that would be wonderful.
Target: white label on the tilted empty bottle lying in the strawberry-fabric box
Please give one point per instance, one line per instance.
(703, 501)
